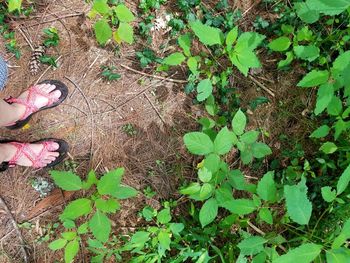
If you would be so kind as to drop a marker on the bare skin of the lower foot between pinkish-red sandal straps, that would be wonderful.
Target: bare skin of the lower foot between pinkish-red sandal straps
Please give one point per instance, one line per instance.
(8, 151)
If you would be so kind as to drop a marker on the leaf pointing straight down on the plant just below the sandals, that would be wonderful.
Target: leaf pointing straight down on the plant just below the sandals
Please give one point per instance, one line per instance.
(100, 226)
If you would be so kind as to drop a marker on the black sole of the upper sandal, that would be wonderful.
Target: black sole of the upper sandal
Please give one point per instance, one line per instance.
(64, 93)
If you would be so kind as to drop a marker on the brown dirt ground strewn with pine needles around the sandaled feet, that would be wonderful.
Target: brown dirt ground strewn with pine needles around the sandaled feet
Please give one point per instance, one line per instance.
(92, 120)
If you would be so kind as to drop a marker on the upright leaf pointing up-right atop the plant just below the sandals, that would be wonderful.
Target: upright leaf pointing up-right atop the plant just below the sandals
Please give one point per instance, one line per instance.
(109, 183)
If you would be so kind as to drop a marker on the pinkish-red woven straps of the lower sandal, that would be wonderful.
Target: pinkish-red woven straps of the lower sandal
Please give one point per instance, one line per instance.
(23, 149)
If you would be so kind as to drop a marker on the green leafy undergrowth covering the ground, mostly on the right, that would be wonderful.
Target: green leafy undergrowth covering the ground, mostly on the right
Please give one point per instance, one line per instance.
(298, 211)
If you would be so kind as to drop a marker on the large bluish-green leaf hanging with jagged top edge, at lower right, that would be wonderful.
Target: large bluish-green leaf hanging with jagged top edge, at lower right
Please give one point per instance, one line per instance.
(298, 205)
